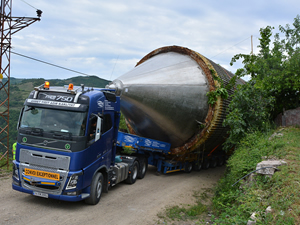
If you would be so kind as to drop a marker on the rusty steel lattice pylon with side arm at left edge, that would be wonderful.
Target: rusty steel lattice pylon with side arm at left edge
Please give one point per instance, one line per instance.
(8, 26)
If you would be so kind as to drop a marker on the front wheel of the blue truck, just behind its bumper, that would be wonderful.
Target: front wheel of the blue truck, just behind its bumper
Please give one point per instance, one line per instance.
(96, 190)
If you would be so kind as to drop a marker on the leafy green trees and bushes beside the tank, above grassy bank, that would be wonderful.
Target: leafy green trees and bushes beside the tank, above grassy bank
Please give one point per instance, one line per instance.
(274, 84)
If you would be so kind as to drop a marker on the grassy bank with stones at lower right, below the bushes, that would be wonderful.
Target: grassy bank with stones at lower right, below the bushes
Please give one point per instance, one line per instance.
(235, 204)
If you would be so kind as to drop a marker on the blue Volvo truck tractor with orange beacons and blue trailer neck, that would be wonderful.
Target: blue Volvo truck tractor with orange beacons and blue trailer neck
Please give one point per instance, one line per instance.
(69, 144)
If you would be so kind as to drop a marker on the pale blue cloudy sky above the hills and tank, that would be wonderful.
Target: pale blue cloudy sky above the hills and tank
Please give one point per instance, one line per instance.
(107, 38)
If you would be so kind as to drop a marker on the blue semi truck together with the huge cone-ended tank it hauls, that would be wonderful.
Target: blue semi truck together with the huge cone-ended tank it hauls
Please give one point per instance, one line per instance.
(69, 146)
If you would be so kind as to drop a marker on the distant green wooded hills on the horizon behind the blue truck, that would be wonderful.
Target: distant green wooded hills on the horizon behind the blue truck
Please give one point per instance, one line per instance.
(20, 89)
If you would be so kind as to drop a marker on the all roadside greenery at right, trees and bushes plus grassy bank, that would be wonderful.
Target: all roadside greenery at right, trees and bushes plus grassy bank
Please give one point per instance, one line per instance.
(273, 88)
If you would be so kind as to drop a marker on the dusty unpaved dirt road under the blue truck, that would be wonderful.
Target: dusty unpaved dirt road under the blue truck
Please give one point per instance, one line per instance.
(123, 204)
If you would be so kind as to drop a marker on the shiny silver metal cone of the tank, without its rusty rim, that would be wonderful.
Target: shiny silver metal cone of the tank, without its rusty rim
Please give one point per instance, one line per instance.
(164, 97)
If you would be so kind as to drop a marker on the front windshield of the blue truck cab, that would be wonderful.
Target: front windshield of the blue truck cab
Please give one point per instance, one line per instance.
(53, 120)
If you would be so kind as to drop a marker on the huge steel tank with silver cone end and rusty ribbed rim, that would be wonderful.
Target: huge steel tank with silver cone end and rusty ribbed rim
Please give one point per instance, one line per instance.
(165, 98)
